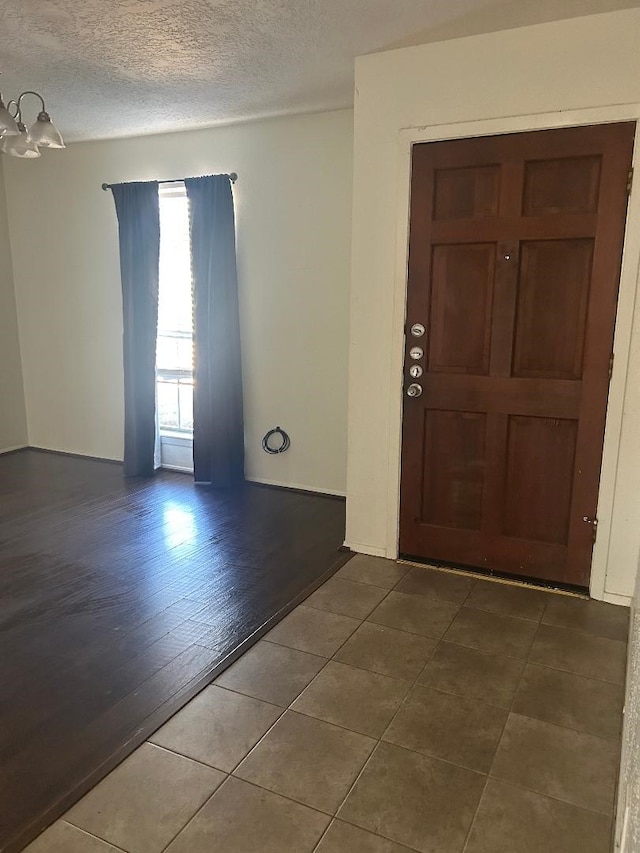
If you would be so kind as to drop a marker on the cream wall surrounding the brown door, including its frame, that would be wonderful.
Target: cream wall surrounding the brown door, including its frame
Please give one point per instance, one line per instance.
(570, 72)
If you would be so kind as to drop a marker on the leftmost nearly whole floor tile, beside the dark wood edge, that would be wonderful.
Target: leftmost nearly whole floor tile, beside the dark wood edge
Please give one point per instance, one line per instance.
(143, 803)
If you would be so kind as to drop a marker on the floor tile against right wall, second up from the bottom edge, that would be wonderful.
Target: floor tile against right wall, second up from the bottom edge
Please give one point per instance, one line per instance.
(572, 766)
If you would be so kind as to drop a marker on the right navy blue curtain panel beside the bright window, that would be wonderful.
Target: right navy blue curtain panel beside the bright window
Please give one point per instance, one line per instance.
(218, 421)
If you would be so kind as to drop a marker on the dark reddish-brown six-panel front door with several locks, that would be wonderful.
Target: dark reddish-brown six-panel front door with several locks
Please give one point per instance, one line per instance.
(514, 262)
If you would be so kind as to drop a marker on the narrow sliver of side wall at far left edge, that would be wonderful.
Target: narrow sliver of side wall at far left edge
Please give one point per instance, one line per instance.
(13, 424)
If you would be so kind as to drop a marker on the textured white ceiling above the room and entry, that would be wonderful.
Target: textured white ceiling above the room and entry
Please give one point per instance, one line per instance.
(121, 67)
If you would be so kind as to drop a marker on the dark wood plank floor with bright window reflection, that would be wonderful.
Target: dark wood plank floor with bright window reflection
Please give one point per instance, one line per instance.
(119, 600)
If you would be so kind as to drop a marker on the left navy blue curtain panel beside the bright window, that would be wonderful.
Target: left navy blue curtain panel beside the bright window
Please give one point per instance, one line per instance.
(138, 210)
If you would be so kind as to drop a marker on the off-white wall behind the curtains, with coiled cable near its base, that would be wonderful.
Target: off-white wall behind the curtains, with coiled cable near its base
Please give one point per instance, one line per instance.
(293, 205)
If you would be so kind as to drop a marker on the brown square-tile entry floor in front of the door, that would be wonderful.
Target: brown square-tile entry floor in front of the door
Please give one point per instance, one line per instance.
(398, 709)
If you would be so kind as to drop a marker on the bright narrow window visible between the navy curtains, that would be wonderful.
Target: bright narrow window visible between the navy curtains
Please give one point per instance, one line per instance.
(174, 350)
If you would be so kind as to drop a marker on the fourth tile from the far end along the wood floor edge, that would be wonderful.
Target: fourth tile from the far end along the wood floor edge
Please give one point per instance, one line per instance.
(276, 674)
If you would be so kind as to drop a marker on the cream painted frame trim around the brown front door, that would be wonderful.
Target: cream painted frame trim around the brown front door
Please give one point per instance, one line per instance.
(629, 285)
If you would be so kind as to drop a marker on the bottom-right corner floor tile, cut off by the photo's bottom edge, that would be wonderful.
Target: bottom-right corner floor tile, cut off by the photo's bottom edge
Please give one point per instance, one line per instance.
(511, 820)
